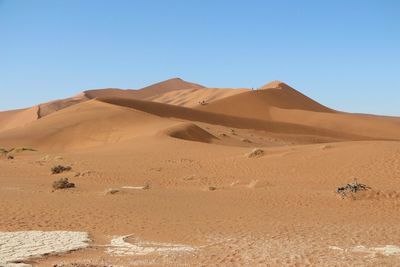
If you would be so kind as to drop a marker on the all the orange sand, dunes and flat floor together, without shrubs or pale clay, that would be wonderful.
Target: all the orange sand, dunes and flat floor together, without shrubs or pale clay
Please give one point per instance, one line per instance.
(205, 194)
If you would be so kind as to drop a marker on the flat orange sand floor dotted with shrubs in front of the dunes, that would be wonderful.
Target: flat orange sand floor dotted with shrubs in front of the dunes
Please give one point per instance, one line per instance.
(274, 210)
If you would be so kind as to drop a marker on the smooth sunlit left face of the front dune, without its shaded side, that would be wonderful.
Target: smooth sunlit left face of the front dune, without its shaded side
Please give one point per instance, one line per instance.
(87, 124)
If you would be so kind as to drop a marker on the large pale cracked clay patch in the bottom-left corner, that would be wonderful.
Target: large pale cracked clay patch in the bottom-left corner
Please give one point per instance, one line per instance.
(23, 245)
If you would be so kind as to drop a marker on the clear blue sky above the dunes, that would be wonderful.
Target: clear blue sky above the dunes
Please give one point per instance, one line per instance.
(345, 54)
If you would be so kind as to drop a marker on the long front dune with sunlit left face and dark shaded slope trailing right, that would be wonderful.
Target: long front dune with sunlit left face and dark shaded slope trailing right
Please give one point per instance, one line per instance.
(112, 120)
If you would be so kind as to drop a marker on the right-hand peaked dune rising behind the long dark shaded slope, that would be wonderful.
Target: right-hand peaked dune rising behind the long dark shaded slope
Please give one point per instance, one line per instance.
(279, 102)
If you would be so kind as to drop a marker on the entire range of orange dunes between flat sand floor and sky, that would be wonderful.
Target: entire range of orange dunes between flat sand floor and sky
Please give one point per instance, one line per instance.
(98, 117)
